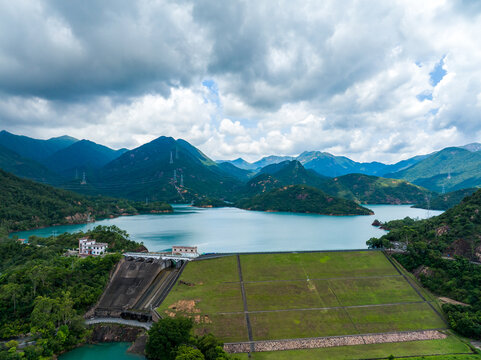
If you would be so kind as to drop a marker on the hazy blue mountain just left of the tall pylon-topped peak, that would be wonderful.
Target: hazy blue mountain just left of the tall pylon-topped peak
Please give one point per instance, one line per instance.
(80, 156)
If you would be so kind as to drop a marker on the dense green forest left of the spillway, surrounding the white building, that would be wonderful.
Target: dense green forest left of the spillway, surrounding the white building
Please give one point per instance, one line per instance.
(44, 293)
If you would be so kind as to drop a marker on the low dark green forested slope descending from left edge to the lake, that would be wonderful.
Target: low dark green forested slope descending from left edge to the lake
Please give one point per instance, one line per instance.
(25, 204)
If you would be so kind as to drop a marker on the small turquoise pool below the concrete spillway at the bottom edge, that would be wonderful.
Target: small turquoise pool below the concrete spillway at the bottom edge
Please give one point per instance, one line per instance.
(105, 351)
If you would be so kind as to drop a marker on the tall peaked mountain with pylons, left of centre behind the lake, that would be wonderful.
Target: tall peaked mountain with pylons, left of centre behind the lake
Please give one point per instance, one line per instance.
(164, 169)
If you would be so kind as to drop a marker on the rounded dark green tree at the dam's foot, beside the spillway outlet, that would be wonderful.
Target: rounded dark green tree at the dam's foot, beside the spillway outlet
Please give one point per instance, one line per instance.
(166, 335)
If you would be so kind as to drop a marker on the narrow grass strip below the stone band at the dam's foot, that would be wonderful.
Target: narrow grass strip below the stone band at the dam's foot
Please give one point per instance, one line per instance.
(446, 346)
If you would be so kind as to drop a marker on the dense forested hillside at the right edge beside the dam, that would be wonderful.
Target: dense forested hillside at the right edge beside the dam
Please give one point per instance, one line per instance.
(442, 251)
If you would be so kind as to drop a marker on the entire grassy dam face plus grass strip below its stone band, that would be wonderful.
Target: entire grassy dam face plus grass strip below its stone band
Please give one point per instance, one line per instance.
(302, 295)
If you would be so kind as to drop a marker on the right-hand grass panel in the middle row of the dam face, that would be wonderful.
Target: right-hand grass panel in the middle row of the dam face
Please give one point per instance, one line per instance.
(372, 291)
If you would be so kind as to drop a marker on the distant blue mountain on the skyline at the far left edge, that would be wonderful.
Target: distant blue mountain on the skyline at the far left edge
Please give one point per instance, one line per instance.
(34, 149)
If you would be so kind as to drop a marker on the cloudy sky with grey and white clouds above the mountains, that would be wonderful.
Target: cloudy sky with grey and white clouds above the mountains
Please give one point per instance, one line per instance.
(371, 80)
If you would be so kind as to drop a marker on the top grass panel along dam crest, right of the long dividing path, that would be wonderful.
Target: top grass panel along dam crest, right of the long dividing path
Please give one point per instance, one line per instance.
(315, 265)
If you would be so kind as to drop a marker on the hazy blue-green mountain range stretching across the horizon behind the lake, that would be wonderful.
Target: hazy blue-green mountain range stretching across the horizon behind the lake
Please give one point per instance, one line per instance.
(175, 171)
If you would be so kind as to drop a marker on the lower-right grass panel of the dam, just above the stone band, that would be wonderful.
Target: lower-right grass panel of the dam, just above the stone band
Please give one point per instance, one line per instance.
(395, 318)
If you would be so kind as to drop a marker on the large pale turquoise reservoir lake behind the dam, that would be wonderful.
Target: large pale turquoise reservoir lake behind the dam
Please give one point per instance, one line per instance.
(232, 230)
